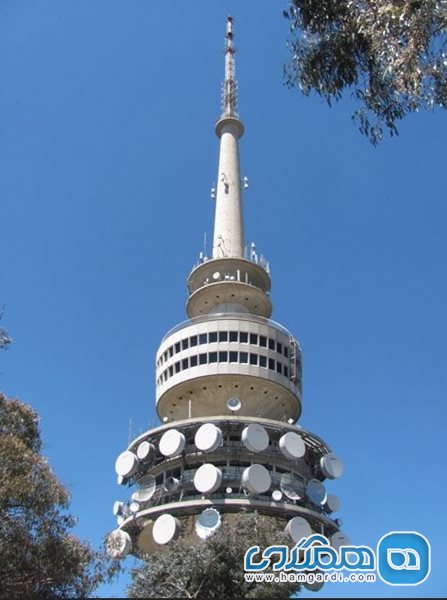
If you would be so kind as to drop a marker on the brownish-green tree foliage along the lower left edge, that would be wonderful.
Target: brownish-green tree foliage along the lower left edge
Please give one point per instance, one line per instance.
(39, 557)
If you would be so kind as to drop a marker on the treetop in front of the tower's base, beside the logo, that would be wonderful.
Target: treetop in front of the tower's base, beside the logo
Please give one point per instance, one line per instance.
(214, 568)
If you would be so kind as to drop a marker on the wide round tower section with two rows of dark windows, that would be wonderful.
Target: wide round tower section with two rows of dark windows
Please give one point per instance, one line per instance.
(205, 361)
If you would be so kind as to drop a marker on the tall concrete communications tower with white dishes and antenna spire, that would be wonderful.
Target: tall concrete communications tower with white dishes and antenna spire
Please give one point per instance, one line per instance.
(228, 394)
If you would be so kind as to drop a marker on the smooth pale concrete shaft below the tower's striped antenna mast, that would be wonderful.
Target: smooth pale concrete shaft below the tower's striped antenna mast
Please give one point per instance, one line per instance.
(229, 238)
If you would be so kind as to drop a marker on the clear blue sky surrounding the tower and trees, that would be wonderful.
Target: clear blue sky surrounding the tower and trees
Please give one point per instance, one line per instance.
(107, 157)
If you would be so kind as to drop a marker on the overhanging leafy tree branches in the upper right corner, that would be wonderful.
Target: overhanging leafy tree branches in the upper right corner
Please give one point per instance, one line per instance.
(390, 53)
